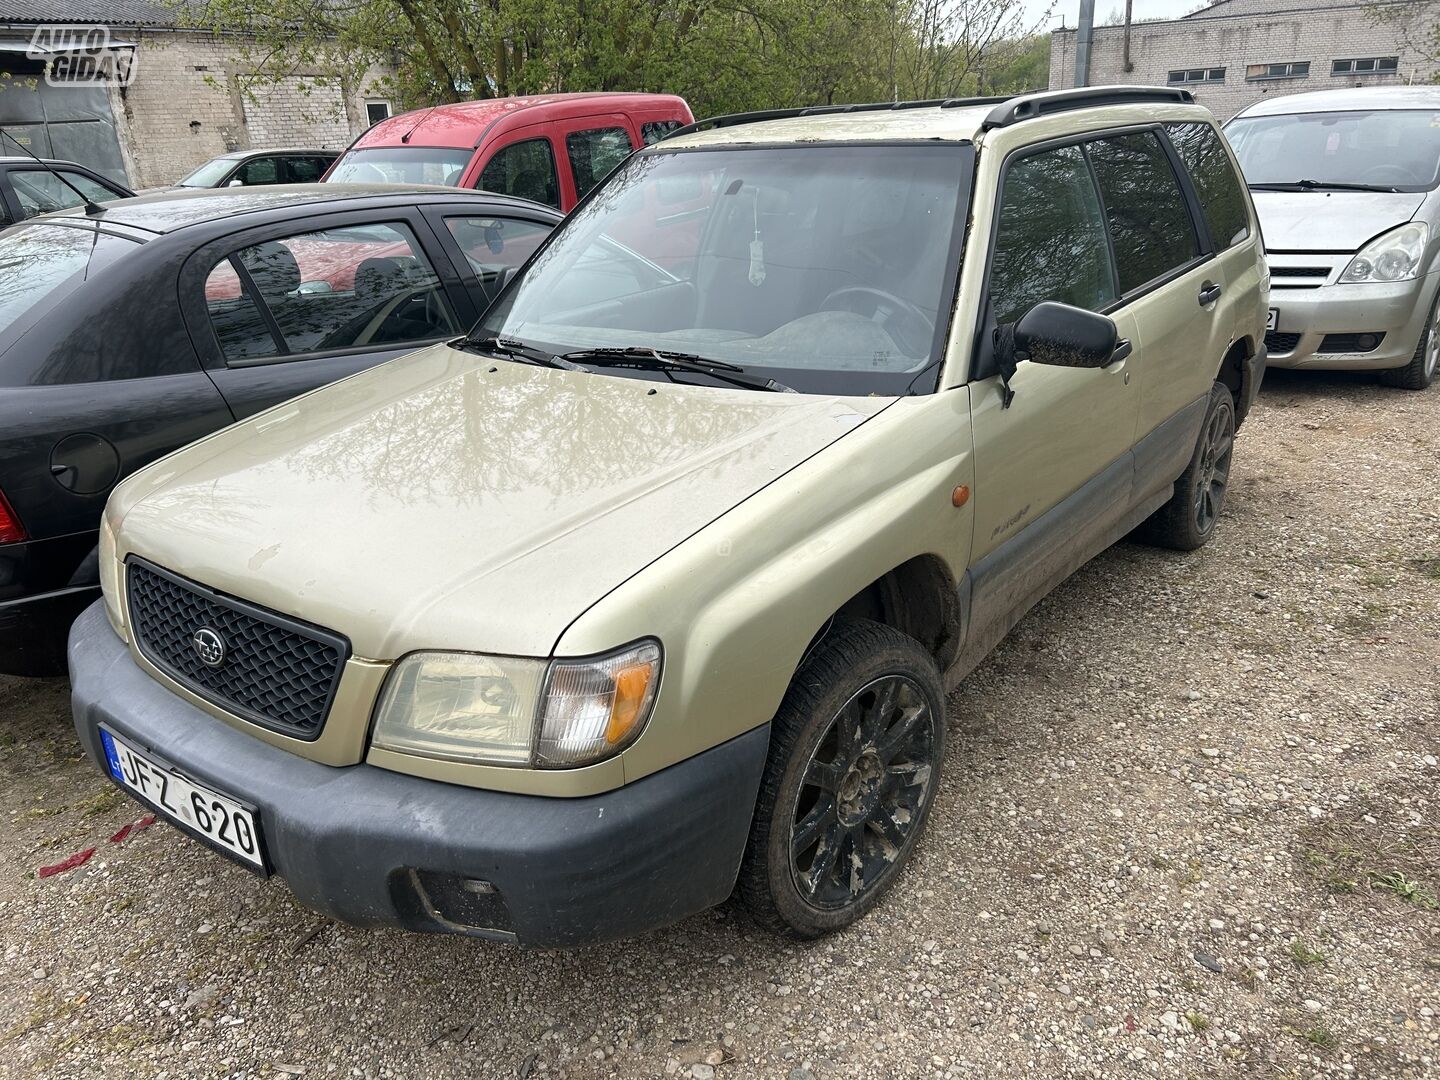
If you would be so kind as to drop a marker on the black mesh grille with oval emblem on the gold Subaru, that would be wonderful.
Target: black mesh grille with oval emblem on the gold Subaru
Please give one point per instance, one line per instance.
(279, 673)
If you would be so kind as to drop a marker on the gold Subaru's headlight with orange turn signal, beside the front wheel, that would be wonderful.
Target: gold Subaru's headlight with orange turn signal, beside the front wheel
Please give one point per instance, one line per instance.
(510, 711)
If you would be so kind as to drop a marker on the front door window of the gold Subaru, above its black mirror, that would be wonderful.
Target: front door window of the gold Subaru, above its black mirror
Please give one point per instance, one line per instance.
(1052, 243)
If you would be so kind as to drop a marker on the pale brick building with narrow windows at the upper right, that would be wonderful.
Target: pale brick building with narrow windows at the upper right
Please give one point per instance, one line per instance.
(1236, 53)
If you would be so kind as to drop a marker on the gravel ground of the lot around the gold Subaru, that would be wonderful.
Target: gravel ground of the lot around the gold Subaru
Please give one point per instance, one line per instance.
(1189, 827)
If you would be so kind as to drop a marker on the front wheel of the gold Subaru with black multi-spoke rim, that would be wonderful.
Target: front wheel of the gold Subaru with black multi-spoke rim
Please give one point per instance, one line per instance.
(856, 752)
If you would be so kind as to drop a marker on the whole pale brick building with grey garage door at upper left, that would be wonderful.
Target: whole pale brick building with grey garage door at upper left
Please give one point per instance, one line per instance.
(189, 99)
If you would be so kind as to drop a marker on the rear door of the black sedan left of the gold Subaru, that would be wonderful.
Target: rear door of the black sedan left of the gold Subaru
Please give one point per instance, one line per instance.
(280, 310)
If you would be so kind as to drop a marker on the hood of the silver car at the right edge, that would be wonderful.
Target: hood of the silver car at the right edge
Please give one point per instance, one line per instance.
(1331, 221)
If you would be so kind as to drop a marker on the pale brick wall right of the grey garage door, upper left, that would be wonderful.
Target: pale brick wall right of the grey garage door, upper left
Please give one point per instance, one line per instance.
(186, 106)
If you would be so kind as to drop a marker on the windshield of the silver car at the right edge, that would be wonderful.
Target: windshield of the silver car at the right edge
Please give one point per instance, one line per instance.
(1398, 149)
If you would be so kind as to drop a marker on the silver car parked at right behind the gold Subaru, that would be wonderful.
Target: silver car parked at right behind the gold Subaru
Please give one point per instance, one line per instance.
(1344, 184)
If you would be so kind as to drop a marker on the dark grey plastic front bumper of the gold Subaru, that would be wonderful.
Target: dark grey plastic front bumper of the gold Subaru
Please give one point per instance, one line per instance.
(374, 847)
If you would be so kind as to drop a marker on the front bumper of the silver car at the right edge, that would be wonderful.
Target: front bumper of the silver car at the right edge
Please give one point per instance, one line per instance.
(1307, 316)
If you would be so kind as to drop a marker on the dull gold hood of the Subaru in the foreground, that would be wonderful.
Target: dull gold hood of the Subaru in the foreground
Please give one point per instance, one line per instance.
(451, 502)
